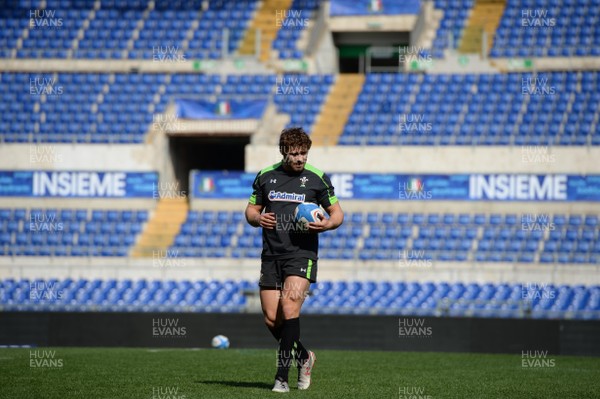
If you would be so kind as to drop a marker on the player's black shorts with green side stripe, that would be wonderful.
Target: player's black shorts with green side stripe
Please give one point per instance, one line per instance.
(274, 272)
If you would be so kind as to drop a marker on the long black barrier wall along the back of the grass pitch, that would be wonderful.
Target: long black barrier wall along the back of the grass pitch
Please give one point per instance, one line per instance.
(390, 333)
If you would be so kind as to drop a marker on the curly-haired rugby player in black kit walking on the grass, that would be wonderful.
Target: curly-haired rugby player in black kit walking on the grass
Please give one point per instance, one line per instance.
(289, 255)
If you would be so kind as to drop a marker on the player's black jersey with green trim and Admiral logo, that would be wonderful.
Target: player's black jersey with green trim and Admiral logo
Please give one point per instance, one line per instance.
(280, 192)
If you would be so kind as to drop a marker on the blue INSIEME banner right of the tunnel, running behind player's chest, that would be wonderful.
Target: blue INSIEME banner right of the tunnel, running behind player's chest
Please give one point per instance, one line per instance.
(421, 187)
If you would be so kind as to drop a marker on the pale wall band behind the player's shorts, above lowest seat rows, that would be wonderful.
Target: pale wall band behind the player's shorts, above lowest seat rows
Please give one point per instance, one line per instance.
(206, 269)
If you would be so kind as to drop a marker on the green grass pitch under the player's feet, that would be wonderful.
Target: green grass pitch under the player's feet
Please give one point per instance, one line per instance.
(114, 373)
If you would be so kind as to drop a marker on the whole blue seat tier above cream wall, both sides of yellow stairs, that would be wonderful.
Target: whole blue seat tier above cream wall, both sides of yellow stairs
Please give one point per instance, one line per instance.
(554, 108)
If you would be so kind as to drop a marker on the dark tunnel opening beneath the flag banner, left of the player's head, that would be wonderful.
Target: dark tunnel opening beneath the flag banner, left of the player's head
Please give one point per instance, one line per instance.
(205, 153)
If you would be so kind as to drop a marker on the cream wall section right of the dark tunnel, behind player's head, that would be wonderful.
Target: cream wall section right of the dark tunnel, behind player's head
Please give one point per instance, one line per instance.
(441, 159)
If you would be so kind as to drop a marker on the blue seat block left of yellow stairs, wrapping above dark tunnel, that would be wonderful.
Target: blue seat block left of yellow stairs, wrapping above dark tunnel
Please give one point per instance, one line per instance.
(119, 108)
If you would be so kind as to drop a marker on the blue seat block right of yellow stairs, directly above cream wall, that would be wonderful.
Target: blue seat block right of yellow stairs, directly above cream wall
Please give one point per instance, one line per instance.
(554, 108)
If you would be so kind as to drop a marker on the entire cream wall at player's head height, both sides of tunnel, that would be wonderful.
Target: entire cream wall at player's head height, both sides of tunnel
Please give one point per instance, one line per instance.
(368, 159)
